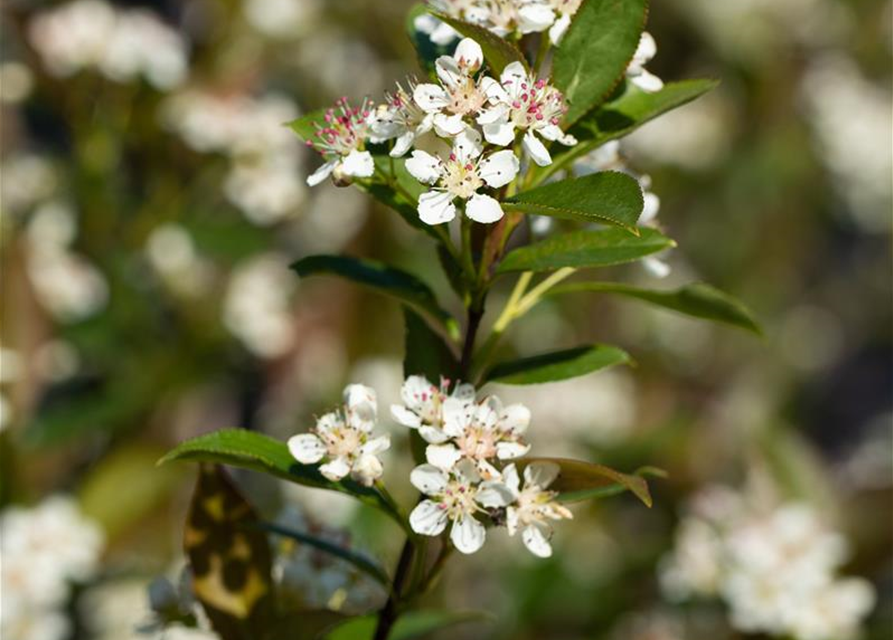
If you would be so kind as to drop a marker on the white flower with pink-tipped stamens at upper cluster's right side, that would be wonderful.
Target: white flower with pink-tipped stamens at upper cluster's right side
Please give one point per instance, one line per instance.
(520, 101)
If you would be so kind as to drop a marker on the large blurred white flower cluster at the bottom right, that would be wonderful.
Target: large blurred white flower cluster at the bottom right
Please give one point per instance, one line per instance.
(774, 565)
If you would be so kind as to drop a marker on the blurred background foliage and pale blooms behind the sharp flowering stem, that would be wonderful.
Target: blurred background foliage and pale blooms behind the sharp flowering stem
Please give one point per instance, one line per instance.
(150, 210)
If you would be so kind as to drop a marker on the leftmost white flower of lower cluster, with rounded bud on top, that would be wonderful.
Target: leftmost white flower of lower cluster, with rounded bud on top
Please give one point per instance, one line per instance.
(343, 439)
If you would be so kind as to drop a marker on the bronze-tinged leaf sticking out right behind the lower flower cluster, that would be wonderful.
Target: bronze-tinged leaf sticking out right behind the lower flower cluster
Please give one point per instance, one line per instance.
(581, 480)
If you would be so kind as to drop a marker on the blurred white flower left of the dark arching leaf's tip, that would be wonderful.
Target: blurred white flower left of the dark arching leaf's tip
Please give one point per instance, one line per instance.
(256, 308)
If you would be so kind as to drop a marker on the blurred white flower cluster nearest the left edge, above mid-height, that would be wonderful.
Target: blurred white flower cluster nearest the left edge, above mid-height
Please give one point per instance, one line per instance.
(65, 282)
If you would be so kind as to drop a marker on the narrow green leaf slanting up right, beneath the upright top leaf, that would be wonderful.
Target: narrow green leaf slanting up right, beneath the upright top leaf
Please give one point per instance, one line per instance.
(625, 114)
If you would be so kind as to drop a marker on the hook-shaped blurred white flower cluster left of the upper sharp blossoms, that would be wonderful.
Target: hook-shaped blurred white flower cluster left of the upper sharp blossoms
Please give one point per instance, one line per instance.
(264, 156)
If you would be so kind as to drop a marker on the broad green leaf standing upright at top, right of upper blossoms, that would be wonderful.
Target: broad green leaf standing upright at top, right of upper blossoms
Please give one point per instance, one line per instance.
(596, 51)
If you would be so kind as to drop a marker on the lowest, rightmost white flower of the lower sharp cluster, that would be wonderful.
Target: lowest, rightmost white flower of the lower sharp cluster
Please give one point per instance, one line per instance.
(534, 506)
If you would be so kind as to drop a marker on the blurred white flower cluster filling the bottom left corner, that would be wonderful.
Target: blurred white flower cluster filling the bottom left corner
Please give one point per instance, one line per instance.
(44, 550)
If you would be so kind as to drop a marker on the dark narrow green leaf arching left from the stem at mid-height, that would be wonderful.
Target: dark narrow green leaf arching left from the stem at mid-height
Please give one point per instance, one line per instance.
(401, 285)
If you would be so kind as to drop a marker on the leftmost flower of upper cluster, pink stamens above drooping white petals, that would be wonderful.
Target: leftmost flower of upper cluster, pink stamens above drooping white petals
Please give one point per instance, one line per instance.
(341, 142)
